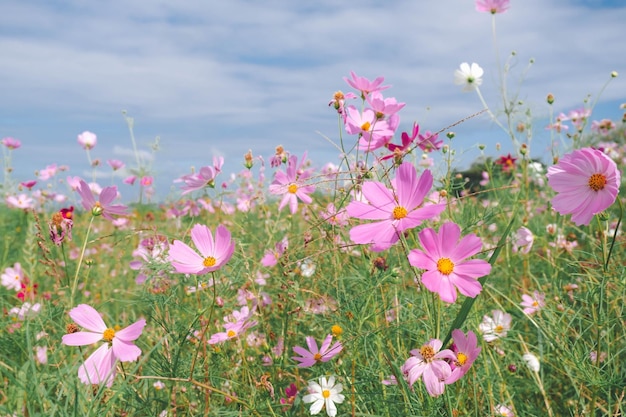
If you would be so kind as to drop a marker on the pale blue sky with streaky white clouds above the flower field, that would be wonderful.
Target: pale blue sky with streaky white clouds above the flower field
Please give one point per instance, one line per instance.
(219, 78)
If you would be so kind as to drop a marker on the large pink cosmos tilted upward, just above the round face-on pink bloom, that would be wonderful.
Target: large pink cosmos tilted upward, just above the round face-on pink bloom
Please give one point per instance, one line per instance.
(397, 210)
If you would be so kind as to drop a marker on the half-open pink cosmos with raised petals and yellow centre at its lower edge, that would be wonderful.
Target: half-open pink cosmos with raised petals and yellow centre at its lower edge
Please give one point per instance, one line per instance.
(214, 253)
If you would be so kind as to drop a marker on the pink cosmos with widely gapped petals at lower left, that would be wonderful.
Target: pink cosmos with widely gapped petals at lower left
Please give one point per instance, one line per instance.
(100, 366)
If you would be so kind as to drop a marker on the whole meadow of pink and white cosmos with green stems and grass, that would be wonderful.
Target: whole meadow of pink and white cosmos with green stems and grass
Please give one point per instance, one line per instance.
(380, 284)
